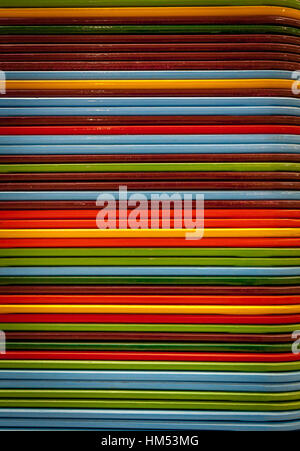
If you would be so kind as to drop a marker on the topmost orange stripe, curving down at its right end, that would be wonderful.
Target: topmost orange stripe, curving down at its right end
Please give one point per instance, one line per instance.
(182, 11)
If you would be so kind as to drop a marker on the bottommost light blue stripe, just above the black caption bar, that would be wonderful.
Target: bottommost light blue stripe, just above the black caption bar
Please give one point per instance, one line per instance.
(163, 424)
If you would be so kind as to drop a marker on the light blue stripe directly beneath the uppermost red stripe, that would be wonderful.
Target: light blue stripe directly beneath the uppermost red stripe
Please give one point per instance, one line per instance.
(149, 139)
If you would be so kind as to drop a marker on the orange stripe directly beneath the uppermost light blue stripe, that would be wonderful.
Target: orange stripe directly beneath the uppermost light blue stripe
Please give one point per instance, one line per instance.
(149, 84)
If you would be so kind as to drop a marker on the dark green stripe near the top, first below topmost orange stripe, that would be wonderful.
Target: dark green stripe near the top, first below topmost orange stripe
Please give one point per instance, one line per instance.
(146, 29)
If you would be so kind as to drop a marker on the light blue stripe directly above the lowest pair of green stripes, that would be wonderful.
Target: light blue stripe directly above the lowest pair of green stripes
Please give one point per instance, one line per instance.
(147, 385)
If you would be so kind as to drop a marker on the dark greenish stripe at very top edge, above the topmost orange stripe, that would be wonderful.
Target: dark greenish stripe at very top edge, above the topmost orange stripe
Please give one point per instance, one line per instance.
(138, 3)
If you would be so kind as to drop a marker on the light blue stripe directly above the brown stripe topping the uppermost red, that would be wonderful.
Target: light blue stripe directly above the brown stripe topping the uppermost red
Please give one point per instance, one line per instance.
(151, 111)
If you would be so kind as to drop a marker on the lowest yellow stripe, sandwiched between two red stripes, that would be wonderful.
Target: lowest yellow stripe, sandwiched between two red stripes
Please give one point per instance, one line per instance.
(201, 309)
